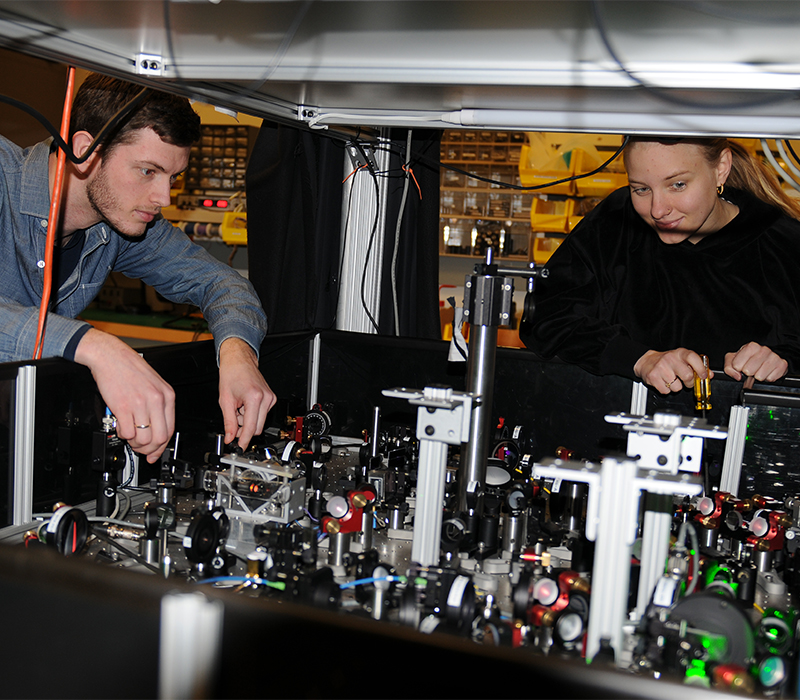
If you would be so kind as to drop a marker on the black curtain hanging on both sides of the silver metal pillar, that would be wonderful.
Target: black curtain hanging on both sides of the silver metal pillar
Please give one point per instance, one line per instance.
(294, 212)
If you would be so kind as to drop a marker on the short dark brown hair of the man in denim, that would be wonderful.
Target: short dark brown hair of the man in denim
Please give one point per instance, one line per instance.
(100, 97)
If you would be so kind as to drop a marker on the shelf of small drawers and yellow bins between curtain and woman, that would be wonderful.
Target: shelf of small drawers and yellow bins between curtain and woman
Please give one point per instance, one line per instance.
(475, 214)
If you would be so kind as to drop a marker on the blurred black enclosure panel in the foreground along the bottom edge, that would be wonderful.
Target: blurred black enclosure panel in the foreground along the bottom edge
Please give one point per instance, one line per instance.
(74, 629)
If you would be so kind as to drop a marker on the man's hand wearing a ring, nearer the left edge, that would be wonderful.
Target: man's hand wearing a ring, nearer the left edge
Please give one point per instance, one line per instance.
(142, 402)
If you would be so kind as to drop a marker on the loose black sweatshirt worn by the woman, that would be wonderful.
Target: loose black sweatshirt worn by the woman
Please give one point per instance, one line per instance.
(616, 290)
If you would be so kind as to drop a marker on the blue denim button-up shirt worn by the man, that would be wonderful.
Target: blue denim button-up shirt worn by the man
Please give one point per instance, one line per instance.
(164, 258)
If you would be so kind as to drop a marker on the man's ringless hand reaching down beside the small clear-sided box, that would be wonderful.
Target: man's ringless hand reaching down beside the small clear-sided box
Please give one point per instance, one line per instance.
(244, 396)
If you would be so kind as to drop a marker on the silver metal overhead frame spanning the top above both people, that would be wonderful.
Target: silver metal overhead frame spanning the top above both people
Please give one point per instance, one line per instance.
(728, 68)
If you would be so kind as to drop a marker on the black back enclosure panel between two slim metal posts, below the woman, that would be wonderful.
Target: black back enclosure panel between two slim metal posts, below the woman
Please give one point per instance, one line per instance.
(558, 404)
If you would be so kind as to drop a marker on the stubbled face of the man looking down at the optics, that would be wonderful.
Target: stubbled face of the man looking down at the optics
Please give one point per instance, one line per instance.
(132, 184)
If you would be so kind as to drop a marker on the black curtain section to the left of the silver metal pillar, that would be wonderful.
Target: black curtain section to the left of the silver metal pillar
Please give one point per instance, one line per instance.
(294, 203)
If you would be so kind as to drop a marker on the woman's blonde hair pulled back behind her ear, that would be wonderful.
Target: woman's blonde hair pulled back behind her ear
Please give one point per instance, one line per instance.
(747, 172)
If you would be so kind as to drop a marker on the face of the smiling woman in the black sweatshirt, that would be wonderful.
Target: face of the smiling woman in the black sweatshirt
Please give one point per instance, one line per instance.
(674, 189)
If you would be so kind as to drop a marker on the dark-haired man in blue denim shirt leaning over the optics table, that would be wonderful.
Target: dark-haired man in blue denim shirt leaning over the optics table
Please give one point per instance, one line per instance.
(110, 220)
